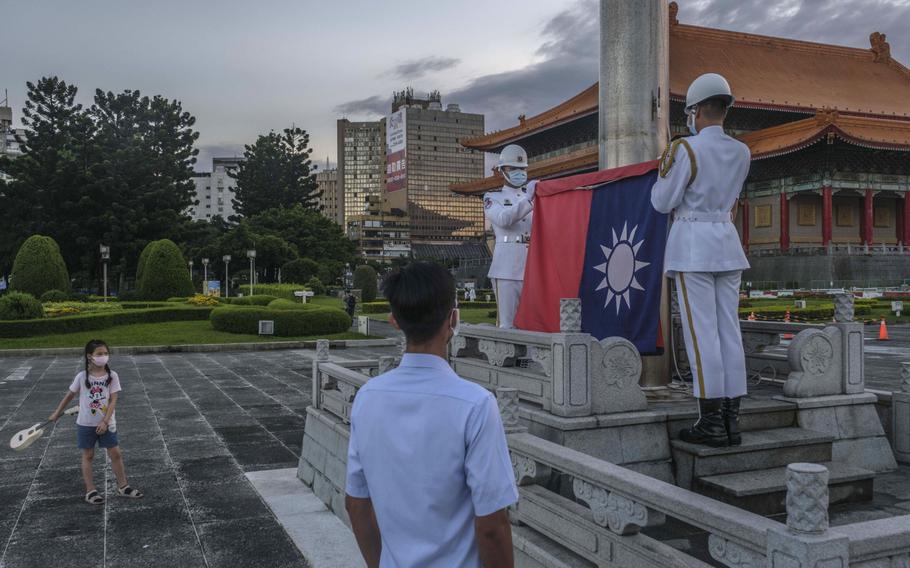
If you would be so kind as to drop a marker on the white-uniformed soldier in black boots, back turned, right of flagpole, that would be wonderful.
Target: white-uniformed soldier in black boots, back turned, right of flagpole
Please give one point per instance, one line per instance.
(700, 179)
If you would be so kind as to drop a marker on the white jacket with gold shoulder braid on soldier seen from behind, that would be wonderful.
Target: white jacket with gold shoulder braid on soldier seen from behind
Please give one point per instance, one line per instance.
(702, 192)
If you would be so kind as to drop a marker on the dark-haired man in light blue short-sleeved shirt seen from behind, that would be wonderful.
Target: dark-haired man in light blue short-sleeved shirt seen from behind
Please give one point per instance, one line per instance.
(429, 478)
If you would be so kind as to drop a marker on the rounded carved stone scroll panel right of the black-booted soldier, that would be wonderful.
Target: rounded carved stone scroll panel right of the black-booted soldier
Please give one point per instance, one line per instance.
(815, 361)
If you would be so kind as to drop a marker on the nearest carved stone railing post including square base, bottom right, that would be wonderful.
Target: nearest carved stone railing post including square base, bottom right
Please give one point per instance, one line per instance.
(806, 542)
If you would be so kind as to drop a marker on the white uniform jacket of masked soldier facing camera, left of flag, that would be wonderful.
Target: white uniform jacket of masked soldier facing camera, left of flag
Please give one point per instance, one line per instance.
(510, 213)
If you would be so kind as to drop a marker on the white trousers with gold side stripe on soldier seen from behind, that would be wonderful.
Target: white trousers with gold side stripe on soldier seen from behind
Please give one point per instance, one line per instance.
(709, 309)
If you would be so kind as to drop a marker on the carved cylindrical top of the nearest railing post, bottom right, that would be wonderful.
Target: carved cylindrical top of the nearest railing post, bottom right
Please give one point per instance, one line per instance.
(807, 498)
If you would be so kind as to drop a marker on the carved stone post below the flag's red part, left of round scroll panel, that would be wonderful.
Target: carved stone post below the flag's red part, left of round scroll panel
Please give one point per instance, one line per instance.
(572, 357)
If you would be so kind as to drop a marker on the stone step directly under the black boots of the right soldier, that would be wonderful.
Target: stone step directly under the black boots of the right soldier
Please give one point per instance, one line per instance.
(761, 449)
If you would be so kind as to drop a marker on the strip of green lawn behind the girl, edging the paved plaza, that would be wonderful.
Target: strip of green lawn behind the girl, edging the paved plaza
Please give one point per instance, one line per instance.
(168, 333)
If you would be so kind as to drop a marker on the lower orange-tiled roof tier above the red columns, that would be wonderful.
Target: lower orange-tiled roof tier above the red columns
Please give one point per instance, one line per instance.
(885, 134)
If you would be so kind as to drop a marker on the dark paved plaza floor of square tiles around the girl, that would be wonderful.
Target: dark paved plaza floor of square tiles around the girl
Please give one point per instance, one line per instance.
(190, 426)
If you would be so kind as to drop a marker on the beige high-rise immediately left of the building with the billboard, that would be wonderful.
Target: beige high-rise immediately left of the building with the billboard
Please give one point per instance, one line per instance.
(361, 165)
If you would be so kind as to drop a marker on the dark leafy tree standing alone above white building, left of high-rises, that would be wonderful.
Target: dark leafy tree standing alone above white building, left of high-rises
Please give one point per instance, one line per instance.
(277, 172)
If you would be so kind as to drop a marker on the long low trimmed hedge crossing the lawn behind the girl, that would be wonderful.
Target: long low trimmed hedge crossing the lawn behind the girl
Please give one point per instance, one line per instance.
(100, 320)
